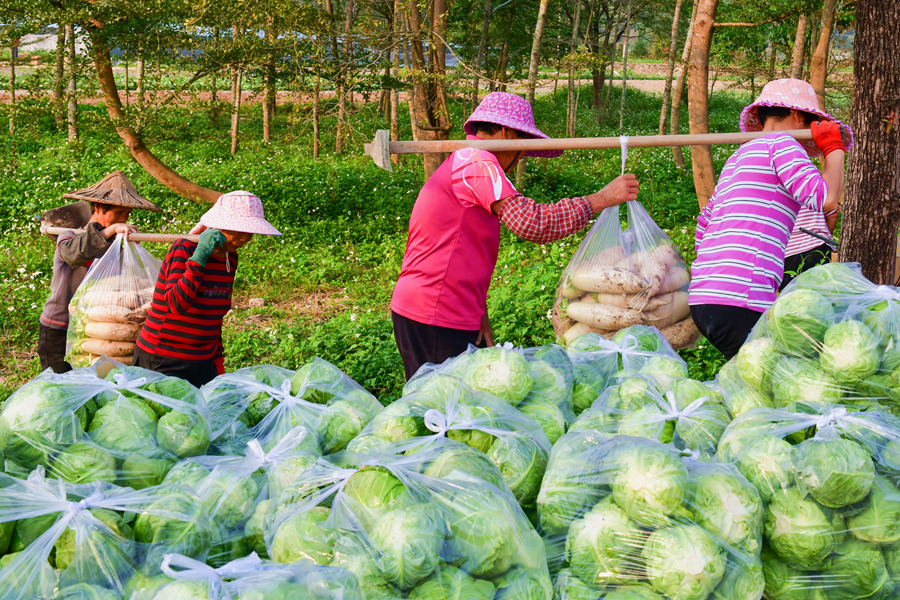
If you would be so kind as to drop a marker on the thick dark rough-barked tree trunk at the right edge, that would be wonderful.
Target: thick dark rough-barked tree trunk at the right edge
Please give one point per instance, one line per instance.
(872, 206)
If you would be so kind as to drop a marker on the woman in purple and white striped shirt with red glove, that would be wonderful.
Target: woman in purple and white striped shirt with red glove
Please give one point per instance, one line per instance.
(743, 231)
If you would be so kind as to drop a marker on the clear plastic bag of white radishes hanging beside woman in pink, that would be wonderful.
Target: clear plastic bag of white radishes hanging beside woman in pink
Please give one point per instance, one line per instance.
(618, 278)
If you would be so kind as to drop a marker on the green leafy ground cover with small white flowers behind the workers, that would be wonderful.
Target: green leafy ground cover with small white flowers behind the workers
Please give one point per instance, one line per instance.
(325, 284)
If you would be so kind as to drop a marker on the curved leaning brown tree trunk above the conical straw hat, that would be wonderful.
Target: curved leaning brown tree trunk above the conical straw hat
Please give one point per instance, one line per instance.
(133, 141)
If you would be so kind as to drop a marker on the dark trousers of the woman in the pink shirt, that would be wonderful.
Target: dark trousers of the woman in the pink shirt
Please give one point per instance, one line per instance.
(419, 343)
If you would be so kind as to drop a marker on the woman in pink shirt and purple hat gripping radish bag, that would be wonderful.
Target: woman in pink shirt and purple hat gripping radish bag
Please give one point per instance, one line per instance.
(439, 305)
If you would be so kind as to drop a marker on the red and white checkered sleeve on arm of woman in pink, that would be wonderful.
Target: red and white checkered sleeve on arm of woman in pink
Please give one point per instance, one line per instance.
(543, 223)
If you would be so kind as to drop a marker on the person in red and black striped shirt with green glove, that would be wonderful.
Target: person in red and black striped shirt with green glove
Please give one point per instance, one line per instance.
(182, 335)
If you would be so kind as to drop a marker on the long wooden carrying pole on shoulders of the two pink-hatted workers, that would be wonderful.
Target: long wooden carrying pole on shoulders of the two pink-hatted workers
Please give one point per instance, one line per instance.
(381, 148)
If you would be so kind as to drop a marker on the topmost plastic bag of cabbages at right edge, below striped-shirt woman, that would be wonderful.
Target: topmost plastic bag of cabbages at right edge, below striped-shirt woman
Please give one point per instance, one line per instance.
(832, 336)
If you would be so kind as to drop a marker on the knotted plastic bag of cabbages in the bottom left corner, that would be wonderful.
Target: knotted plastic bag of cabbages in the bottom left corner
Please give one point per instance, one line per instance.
(88, 541)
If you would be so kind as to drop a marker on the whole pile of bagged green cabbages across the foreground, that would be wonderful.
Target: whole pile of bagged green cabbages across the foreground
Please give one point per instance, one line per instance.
(596, 472)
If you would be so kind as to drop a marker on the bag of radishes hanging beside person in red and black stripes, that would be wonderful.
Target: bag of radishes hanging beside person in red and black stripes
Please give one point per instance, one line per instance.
(110, 306)
